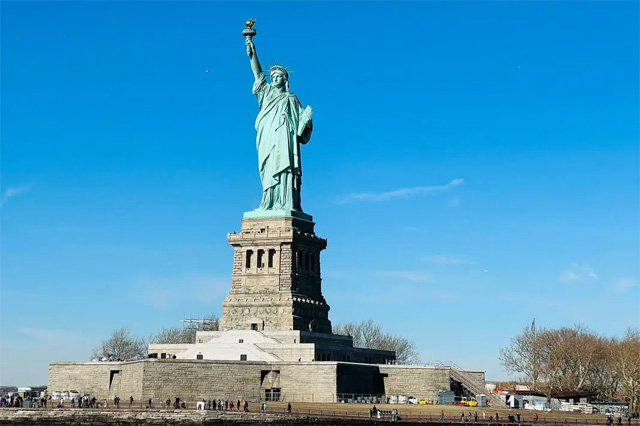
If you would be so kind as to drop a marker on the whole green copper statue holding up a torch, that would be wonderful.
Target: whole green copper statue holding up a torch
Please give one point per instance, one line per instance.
(282, 125)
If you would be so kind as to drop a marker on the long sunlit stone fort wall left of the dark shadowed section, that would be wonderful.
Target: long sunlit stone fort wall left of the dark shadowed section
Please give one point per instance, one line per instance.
(193, 380)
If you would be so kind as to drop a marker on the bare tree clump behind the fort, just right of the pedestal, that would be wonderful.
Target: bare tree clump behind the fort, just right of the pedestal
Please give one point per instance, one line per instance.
(368, 334)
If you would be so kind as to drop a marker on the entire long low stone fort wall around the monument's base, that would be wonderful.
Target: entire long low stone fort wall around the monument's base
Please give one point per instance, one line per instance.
(196, 379)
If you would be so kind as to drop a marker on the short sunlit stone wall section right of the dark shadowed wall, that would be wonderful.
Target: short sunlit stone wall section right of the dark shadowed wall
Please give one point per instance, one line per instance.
(420, 382)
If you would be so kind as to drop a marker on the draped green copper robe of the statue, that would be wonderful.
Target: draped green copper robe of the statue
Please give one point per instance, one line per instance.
(278, 146)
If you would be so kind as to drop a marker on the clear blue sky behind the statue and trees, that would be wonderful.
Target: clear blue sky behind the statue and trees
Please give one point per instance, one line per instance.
(473, 165)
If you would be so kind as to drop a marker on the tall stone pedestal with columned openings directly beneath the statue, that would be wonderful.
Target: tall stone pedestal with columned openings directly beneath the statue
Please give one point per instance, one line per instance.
(276, 280)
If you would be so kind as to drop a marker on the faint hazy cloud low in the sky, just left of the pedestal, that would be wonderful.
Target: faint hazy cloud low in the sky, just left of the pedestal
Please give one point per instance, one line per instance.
(168, 291)
